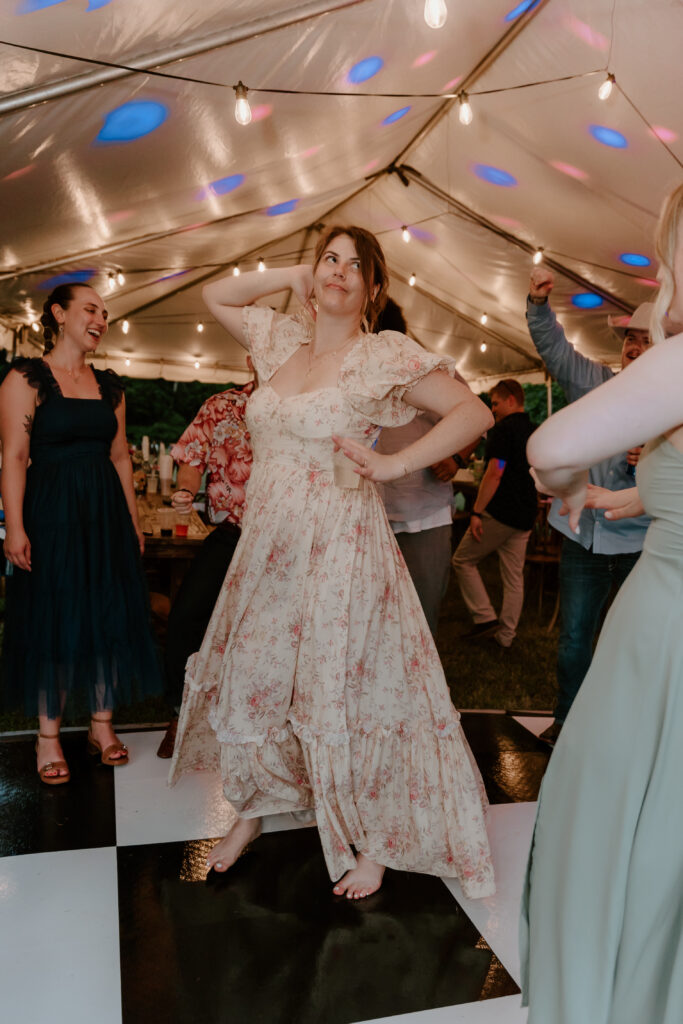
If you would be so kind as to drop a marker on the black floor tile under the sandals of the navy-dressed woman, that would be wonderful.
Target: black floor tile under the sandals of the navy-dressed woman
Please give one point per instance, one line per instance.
(38, 819)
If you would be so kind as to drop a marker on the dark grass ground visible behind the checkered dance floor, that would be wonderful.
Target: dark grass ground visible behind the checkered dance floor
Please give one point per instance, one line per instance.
(480, 674)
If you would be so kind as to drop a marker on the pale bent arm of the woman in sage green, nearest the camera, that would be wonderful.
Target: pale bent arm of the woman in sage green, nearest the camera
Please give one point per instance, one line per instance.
(641, 403)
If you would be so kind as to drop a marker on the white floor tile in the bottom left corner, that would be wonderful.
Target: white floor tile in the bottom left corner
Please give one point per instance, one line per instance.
(60, 938)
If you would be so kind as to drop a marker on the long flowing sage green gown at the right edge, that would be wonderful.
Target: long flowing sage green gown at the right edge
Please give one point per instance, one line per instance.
(603, 913)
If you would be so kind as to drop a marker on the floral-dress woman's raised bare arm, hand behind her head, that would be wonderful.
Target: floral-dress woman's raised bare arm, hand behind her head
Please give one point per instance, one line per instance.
(227, 297)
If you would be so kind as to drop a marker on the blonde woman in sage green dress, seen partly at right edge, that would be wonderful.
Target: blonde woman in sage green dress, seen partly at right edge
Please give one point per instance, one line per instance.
(603, 913)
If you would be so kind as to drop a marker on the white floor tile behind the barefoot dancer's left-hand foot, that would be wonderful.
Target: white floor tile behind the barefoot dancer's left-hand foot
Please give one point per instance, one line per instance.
(148, 810)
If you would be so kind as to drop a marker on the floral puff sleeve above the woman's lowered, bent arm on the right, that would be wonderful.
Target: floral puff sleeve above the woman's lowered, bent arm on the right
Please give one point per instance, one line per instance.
(382, 368)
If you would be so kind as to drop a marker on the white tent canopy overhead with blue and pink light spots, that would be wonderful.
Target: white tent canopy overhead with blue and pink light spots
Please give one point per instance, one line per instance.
(122, 155)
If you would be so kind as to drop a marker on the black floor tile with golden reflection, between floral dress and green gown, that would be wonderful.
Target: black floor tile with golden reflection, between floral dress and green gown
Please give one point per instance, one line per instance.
(511, 760)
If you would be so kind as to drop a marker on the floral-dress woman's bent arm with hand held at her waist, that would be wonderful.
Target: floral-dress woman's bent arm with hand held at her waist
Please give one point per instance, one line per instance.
(463, 418)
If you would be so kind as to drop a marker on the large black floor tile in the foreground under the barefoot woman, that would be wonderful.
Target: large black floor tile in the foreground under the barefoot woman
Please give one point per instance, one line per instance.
(268, 943)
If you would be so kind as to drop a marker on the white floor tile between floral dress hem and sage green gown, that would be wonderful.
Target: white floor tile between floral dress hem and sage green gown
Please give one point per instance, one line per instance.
(510, 828)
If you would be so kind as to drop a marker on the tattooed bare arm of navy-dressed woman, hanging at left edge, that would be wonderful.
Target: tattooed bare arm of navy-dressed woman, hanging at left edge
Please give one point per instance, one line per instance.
(18, 408)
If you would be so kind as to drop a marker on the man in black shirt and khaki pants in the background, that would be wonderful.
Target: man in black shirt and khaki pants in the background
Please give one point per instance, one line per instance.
(501, 521)
